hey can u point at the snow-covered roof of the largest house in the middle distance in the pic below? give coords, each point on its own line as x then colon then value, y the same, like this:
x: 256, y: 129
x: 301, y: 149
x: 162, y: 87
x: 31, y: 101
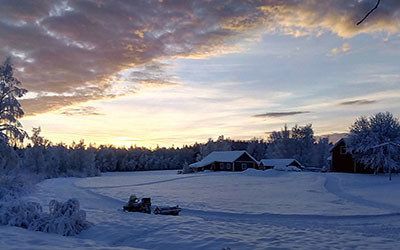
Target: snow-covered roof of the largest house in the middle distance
x: 220, y: 156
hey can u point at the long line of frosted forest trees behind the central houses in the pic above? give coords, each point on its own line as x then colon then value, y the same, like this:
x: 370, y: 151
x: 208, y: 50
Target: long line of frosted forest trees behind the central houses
x: 49, y: 160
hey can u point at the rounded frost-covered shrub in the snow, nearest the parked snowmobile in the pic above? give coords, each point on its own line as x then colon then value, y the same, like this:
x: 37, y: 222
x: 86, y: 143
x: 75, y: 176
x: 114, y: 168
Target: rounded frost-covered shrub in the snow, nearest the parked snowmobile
x: 64, y: 218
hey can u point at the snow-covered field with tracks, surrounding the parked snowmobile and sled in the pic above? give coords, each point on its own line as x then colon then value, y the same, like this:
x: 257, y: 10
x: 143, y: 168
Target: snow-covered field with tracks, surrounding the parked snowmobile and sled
x: 249, y: 210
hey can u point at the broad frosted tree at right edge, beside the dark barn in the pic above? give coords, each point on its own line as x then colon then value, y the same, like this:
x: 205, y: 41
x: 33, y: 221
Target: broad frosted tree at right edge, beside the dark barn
x: 375, y: 142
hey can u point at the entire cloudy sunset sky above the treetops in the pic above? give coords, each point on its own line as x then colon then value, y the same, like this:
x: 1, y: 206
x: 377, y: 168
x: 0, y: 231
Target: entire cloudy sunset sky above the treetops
x: 166, y: 73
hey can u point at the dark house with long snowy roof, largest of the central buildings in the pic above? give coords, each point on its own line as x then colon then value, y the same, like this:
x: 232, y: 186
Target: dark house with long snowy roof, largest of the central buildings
x: 225, y: 161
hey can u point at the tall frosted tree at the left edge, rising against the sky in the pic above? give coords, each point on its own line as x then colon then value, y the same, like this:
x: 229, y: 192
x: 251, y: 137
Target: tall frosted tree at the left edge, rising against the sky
x: 10, y: 108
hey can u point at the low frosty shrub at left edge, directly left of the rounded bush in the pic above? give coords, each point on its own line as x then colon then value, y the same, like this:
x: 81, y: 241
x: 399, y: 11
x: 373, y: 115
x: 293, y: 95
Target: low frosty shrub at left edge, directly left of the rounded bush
x: 19, y: 213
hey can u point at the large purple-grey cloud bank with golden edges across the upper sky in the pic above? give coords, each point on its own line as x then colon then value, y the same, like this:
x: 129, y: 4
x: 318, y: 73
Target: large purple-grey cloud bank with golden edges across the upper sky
x: 81, y: 47
